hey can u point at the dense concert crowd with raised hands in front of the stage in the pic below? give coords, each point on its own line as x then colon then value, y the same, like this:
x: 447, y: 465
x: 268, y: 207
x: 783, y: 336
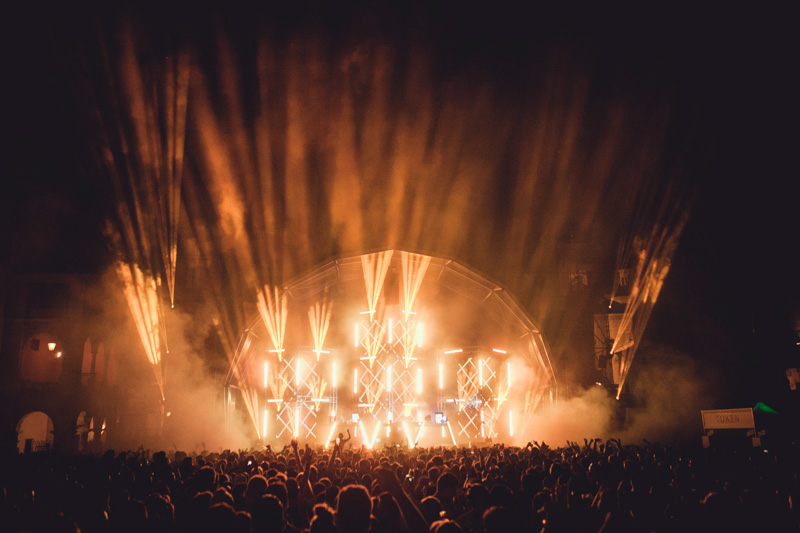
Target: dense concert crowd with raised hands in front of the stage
x: 597, y: 486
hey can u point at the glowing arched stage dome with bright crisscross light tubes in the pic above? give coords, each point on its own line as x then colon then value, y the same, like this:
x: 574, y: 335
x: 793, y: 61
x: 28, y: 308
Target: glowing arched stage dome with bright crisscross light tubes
x: 397, y: 347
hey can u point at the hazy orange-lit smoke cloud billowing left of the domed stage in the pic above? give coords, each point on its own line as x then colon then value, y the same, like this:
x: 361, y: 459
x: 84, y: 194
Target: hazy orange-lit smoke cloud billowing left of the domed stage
x: 193, y: 378
